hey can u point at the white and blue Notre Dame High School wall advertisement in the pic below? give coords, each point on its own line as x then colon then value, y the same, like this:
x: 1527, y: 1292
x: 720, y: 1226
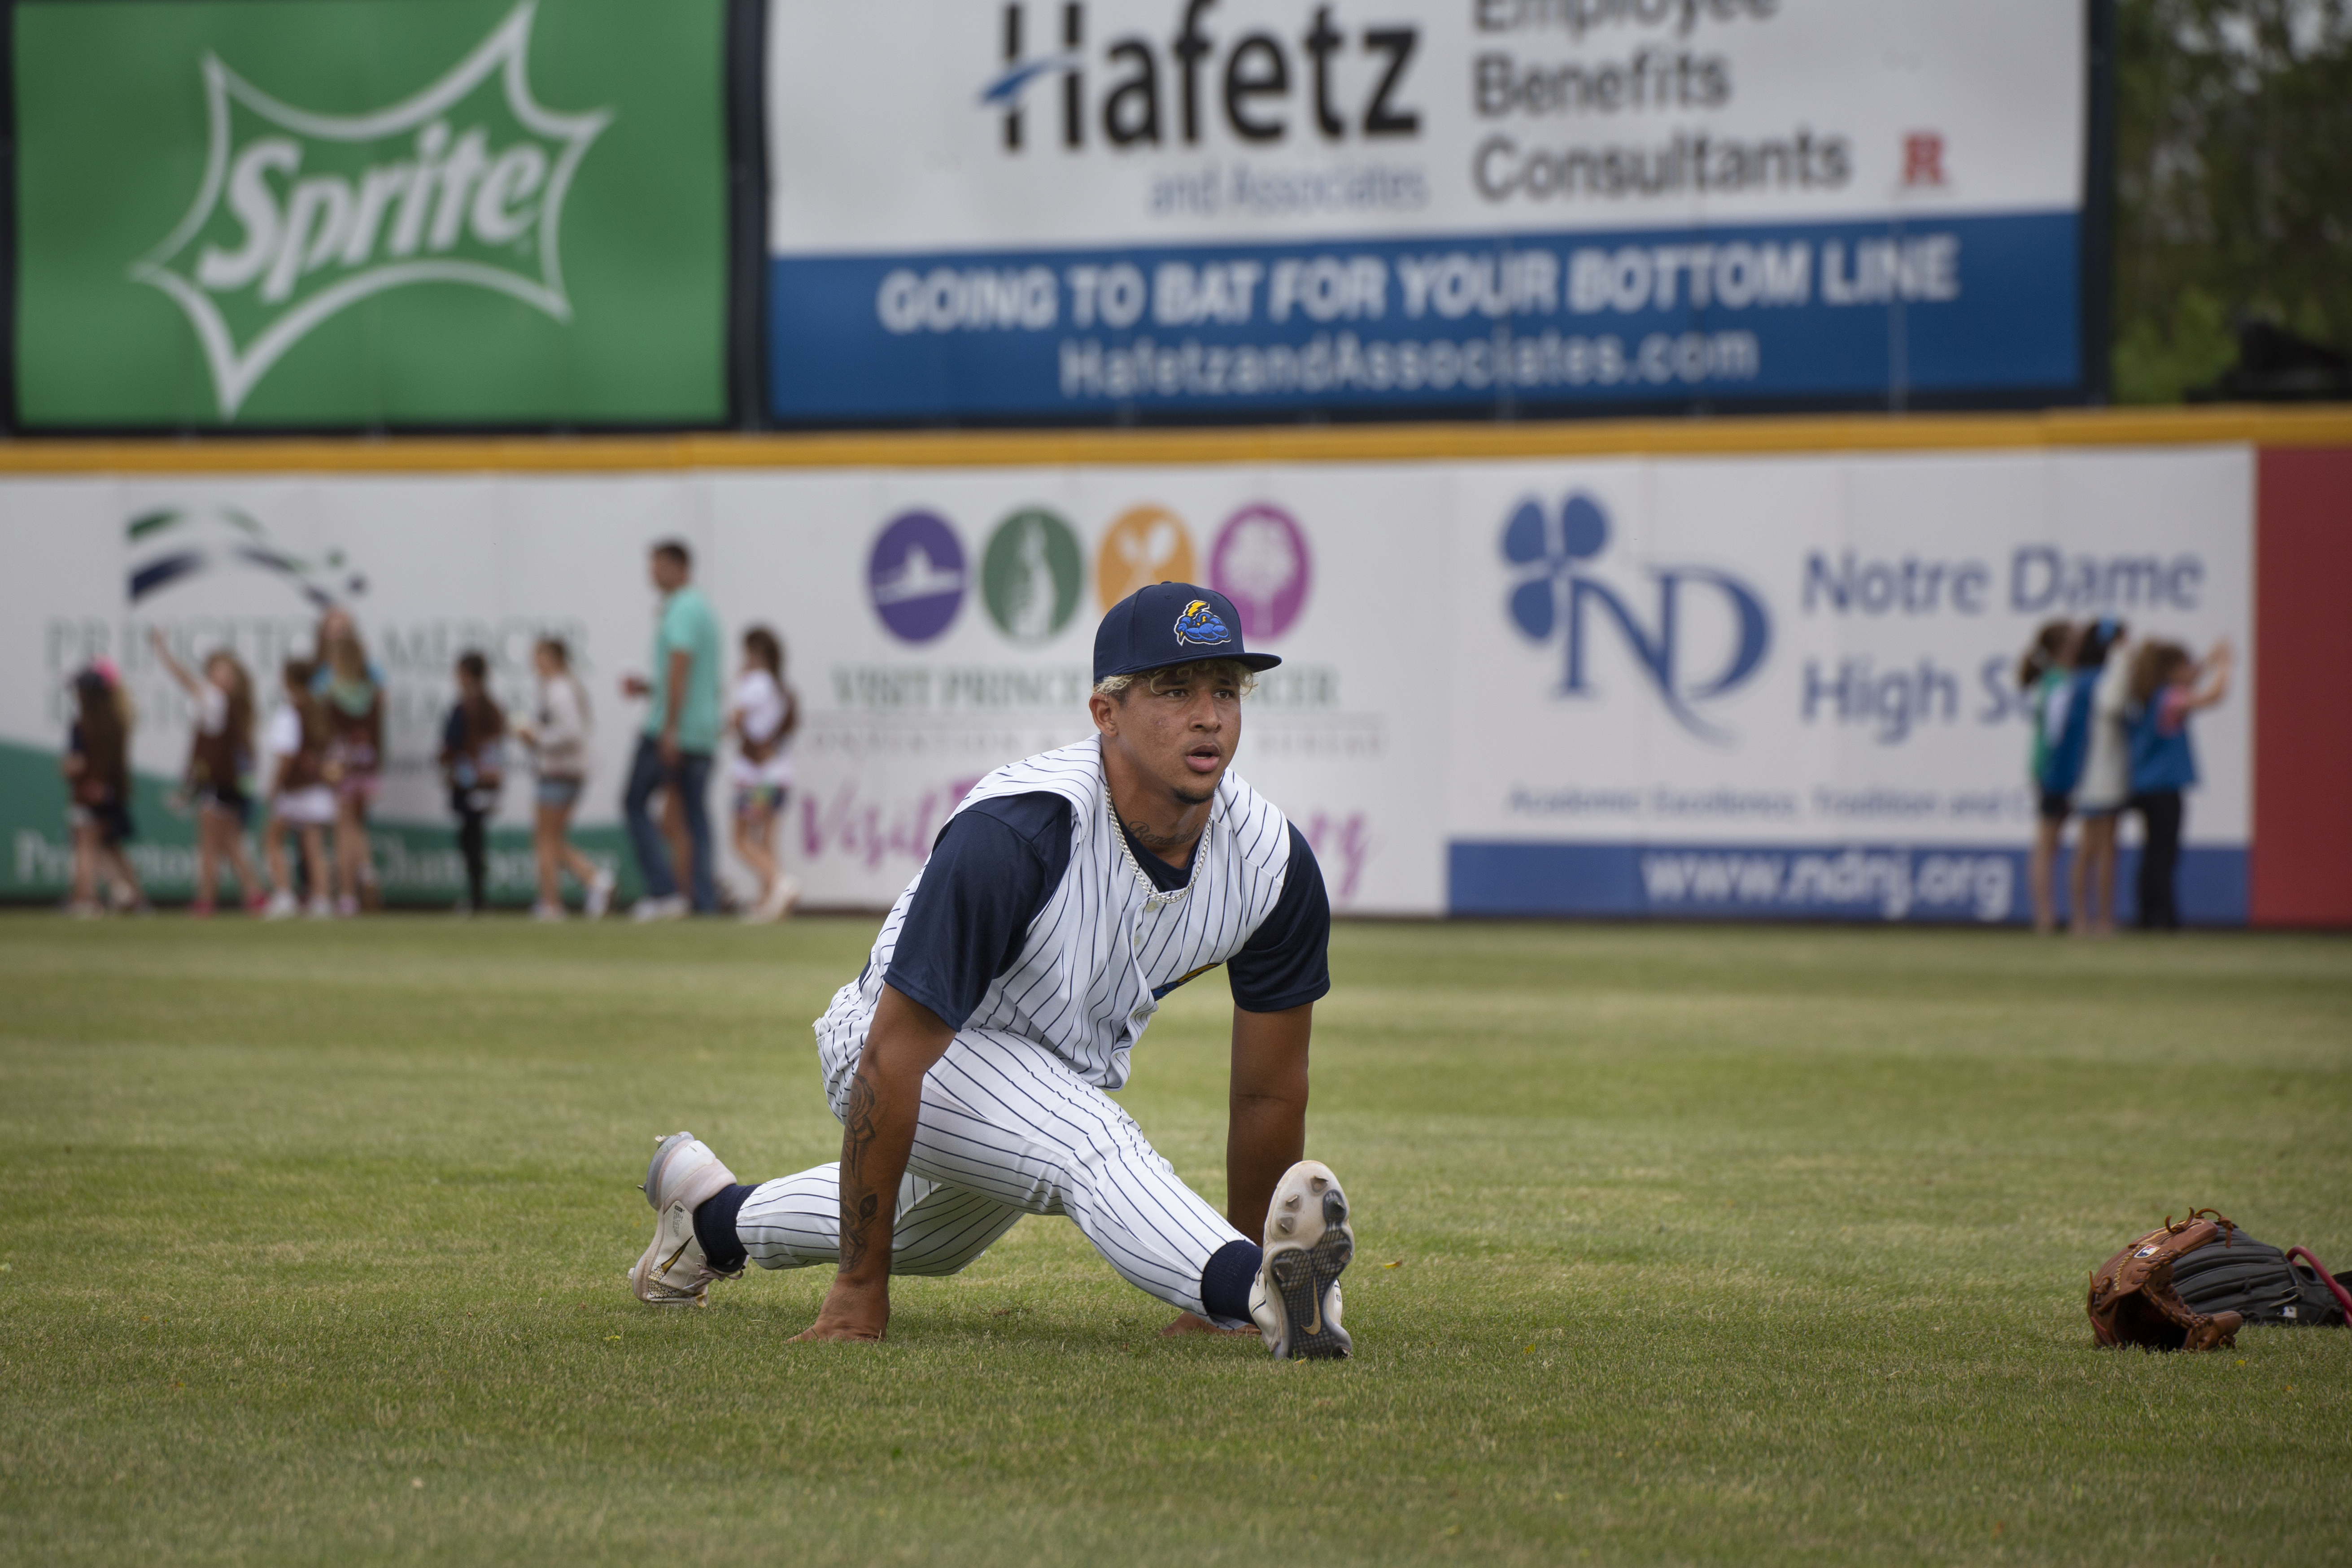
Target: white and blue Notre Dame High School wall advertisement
x: 1789, y: 685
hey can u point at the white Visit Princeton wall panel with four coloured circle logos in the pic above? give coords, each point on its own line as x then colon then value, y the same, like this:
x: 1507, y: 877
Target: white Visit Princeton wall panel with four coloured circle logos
x: 944, y: 624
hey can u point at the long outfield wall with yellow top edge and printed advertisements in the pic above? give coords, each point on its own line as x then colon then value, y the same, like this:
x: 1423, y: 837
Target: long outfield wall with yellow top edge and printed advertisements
x: 1685, y: 671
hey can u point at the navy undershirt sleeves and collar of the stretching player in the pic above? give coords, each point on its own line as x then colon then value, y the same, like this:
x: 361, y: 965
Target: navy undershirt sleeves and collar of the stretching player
x: 994, y: 871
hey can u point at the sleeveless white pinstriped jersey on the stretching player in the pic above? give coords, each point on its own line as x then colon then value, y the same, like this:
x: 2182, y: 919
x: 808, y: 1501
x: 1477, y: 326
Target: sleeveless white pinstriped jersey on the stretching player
x: 1107, y: 944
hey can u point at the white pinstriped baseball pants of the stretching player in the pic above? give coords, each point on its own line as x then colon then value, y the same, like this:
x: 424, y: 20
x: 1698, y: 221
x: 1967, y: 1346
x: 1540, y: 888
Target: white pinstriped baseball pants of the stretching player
x: 1008, y: 1130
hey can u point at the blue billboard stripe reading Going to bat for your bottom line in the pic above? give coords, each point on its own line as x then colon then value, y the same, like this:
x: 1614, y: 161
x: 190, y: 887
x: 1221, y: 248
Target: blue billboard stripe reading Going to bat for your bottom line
x: 1758, y: 311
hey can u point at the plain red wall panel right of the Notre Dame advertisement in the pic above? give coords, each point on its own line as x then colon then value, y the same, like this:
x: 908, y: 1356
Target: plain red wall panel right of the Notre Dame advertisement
x: 2304, y: 702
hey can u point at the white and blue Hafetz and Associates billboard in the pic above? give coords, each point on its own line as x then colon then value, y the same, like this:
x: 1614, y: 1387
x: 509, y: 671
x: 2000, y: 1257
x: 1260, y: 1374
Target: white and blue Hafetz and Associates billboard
x: 1243, y: 208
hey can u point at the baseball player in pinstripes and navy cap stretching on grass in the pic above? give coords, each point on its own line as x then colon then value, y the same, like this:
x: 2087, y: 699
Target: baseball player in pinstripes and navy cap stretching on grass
x: 970, y: 1064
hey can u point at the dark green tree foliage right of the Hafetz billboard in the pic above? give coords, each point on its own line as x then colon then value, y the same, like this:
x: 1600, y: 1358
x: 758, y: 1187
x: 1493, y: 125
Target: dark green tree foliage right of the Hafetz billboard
x: 2233, y: 185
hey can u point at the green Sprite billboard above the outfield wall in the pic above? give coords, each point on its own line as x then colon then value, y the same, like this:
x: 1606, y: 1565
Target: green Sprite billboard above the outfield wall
x: 370, y: 213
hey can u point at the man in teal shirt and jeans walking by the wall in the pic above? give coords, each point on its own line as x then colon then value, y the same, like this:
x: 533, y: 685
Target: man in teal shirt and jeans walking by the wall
x: 681, y: 737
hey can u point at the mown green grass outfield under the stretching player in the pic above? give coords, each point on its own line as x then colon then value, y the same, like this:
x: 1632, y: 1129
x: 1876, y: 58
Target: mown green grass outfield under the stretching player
x: 1678, y: 1247
